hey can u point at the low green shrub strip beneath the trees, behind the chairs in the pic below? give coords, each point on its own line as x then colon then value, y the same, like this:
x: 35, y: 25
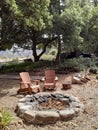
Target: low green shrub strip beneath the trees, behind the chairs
x: 75, y: 64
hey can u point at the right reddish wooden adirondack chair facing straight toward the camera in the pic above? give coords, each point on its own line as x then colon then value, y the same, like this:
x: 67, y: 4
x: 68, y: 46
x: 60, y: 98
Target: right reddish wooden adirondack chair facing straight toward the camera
x: 49, y: 80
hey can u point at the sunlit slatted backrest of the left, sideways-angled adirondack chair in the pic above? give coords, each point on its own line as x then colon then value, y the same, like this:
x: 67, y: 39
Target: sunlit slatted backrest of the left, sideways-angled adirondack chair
x: 25, y: 78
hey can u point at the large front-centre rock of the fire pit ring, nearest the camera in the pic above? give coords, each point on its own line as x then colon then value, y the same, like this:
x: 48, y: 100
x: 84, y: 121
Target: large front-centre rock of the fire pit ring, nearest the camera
x: 46, y: 117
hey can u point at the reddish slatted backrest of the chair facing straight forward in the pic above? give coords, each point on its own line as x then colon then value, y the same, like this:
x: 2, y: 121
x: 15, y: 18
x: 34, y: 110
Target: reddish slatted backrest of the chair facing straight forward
x: 50, y: 76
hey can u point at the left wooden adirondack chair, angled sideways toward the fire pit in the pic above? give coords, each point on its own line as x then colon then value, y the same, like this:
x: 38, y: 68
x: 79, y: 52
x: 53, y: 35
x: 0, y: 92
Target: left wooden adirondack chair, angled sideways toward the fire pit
x: 26, y: 84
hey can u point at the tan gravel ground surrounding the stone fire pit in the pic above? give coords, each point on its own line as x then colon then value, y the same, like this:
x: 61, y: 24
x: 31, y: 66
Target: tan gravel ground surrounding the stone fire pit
x: 87, y: 93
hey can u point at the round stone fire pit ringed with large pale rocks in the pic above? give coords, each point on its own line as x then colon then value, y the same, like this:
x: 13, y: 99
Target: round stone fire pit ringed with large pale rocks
x: 48, y: 108
